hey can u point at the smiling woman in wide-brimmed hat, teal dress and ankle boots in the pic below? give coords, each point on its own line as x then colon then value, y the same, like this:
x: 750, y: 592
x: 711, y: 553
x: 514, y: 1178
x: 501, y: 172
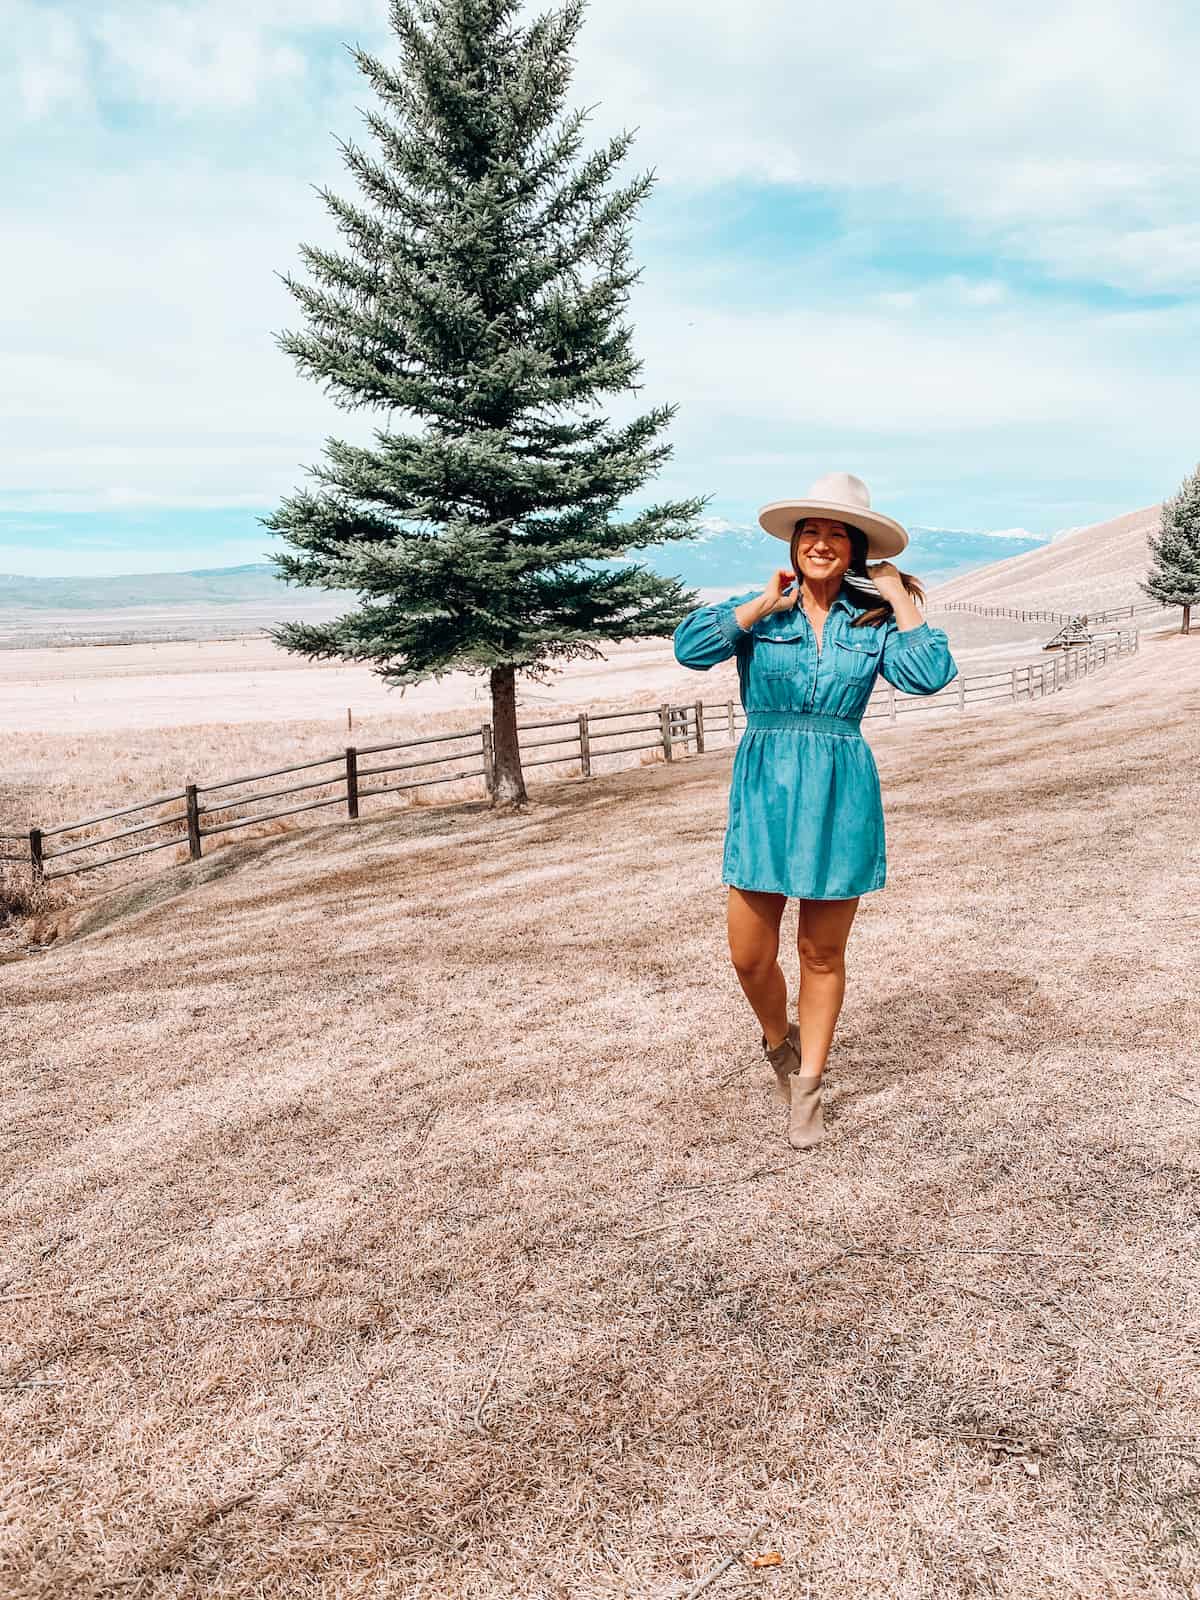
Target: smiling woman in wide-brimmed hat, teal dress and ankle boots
x: 806, y: 810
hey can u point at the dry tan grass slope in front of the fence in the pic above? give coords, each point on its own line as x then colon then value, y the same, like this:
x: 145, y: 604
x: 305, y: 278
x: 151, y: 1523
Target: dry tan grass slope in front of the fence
x: 402, y: 1212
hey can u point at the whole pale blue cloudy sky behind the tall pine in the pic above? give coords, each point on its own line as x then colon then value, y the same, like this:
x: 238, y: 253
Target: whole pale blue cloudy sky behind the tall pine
x: 953, y: 254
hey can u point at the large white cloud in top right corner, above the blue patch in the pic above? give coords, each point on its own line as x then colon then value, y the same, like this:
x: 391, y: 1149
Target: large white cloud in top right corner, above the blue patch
x: 1057, y: 135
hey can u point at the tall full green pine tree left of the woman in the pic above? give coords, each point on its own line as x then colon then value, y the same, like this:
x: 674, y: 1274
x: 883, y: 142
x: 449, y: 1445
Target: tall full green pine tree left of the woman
x: 479, y: 294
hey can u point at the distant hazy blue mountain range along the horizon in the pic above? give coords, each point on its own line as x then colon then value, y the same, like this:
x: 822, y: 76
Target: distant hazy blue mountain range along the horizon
x: 726, y: 556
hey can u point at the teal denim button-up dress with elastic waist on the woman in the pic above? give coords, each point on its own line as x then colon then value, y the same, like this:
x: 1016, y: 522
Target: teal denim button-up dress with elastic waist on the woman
x: 806, y: 809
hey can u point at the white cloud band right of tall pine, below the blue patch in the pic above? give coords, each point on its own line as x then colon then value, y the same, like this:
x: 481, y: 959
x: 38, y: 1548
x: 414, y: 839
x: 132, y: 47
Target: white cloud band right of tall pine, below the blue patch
x: 841, y: 369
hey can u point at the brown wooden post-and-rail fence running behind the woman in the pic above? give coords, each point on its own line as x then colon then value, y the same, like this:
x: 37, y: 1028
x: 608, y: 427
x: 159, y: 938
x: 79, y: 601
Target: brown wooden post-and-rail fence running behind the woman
x: 348, y: 778
